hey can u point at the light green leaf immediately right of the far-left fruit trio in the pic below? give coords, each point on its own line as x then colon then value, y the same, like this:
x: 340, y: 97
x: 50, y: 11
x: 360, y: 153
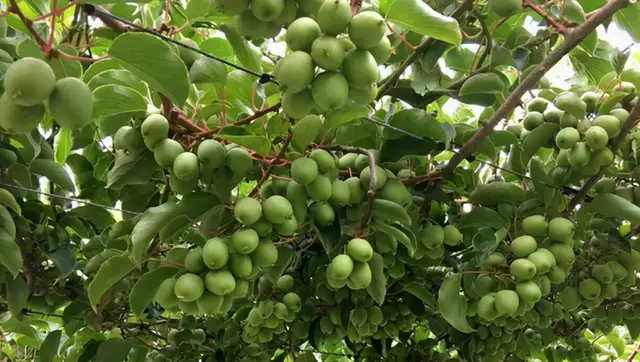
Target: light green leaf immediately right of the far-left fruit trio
x: 109, y: 100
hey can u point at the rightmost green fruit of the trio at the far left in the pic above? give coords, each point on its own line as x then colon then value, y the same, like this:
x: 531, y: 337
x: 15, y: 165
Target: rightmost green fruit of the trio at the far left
x: 71, y: 103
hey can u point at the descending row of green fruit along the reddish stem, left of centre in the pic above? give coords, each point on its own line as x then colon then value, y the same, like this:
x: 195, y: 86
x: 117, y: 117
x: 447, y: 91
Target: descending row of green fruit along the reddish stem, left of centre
x: 187, y: 168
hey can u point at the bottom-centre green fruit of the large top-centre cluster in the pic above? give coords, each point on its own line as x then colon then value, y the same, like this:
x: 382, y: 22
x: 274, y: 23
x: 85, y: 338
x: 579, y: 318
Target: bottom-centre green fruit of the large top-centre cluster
x: 330, y: 91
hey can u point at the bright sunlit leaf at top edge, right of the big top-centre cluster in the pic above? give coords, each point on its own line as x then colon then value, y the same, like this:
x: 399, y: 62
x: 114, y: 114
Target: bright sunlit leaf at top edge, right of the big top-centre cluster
x: 418, y: 17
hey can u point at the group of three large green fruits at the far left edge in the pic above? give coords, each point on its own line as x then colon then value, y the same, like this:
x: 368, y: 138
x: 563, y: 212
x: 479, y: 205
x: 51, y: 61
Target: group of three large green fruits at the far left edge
x: 30, y: 87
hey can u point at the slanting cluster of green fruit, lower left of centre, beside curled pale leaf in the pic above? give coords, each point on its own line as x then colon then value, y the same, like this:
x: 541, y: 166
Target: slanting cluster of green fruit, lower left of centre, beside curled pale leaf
x: 217, y: 273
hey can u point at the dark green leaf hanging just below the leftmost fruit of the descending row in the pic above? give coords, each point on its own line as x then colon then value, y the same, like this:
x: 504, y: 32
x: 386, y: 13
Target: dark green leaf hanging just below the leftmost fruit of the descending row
x: 131, y: 169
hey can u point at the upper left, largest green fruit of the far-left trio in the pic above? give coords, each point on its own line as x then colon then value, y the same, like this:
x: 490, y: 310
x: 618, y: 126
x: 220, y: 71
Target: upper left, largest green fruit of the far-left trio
x: 29, y: 81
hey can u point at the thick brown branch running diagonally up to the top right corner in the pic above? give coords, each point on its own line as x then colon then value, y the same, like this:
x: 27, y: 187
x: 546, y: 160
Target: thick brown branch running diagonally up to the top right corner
x: 573, y: 38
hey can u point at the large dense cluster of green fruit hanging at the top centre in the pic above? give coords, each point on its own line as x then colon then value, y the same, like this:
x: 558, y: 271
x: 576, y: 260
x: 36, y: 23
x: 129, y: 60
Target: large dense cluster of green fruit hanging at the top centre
x: 350, y: 65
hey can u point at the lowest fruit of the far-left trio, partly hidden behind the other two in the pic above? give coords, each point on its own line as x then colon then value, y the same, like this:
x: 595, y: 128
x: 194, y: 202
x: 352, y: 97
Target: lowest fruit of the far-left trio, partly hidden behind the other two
x: 15, y: 119
